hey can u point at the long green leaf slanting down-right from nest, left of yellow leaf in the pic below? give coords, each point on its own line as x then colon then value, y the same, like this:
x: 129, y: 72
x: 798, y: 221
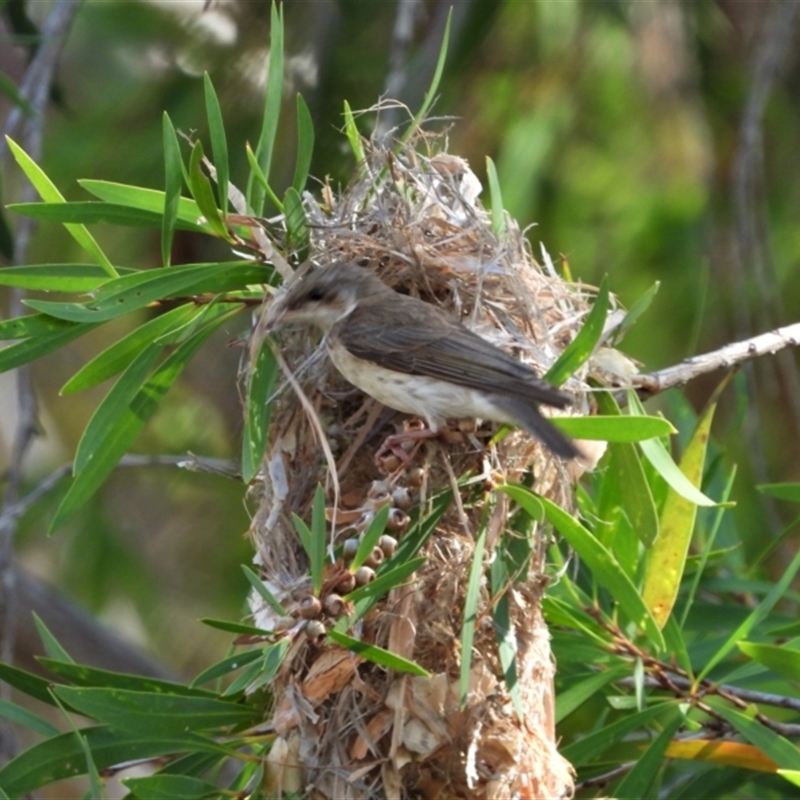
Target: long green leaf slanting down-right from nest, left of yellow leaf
x: 605, y: 569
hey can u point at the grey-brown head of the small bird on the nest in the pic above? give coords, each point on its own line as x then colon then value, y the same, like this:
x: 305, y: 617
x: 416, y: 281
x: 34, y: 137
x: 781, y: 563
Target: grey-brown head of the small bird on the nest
x: 323, y: 297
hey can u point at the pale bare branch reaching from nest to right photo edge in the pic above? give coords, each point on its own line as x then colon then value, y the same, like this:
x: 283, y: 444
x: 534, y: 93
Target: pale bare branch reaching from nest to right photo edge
x: 728, y: 356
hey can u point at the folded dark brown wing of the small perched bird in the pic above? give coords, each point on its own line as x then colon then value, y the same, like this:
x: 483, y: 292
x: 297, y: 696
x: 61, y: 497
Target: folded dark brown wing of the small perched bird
x: 416, y: 338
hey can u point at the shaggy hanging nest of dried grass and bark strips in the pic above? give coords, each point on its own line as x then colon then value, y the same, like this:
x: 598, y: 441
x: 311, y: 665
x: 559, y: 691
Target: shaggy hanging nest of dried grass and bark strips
x: 346, y: 727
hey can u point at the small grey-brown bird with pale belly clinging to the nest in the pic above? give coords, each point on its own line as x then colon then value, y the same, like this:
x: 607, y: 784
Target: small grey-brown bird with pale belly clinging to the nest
x: 415, y: 357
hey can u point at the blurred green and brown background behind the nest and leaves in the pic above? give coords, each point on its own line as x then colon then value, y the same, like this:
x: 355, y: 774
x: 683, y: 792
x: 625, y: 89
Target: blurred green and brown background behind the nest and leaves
x: 616, y: 128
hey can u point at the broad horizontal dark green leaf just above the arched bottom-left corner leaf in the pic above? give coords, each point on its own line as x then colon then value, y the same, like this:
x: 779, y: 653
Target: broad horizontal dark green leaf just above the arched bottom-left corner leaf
x: 162, y: 715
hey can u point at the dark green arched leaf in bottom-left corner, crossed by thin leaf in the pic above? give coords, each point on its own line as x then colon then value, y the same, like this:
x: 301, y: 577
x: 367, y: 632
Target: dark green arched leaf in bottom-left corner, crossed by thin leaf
x: 62, y: 756
